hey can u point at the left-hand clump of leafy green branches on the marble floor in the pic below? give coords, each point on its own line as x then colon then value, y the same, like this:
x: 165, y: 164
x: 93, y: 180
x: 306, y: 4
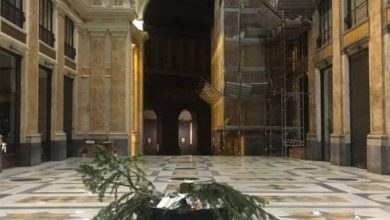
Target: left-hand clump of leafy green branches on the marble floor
x: 107, y: 173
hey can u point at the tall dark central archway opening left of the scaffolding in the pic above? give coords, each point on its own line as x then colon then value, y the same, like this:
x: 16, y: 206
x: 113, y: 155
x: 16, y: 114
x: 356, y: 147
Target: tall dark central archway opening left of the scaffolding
x: 177, y: 56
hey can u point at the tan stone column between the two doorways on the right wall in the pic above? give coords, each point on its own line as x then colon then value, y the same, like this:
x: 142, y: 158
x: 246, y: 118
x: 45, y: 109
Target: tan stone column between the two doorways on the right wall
x: 339, y: 151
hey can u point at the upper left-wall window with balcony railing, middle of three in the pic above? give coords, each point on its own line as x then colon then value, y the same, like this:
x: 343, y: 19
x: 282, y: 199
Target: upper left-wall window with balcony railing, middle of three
x: 46, y: 22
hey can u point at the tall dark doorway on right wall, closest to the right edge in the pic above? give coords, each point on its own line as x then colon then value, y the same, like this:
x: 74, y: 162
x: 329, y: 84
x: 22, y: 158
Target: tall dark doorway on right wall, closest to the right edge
x: 360, y: 107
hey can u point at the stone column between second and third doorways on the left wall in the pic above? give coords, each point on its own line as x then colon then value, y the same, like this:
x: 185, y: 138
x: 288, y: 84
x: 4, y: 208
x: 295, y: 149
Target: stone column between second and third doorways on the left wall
x: 58, y: 146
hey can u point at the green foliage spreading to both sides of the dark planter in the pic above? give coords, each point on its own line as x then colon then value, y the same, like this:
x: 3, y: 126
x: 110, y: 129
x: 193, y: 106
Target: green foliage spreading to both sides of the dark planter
x: 107, y: 173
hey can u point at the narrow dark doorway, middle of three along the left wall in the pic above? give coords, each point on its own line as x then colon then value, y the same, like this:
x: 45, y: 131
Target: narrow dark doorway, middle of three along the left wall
x: 44, y: 110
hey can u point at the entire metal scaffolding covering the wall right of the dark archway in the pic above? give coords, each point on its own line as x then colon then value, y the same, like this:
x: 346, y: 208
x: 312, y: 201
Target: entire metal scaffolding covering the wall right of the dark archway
x: 283, y: 87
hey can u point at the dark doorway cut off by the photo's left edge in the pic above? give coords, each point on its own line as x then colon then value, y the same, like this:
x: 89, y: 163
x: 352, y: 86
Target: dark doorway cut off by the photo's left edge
x: 10, y: 64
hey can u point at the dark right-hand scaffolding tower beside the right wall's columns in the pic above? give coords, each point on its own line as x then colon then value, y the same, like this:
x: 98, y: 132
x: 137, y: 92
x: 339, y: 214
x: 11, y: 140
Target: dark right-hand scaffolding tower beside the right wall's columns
x: 286, y: 73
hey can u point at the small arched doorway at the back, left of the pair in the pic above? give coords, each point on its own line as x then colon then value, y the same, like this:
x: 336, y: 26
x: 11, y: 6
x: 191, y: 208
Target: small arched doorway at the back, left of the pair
x: 151, y: 132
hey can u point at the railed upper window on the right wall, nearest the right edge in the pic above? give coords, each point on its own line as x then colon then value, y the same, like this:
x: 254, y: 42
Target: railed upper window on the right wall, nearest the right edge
x: 355, y: 12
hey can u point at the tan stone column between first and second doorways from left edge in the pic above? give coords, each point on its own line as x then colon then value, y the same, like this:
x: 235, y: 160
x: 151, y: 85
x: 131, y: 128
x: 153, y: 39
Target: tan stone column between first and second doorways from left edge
x: 30, y: 148
